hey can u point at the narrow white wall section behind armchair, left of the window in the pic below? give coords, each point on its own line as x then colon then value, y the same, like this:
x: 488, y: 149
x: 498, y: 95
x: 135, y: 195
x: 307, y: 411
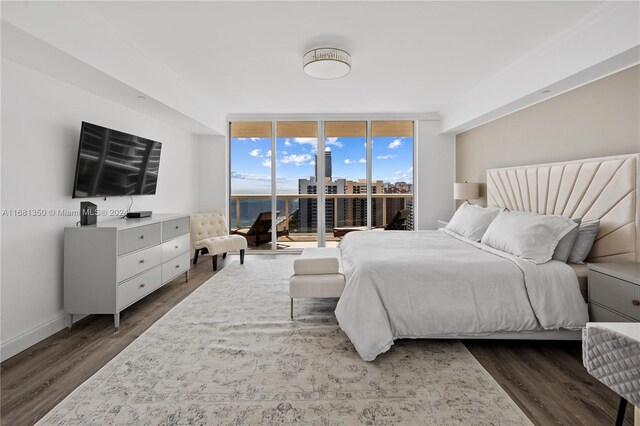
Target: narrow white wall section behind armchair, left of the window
x: 212, y: 174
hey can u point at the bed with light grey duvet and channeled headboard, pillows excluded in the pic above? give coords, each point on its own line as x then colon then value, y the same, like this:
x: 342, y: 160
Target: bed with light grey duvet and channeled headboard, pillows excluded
x: 436, y: 284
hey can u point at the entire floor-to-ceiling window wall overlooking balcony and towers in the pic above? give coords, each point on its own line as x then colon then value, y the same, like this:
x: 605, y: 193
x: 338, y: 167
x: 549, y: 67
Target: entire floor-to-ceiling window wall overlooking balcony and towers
x: 296, y: 184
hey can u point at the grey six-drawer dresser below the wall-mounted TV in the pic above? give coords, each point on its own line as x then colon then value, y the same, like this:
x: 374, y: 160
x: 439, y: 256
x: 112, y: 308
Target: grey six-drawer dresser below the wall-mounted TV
x: 111, y: 265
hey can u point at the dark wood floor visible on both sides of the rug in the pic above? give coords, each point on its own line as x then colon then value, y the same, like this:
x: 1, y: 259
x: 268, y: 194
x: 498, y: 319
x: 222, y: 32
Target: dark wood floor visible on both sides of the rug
x: 545, y: 379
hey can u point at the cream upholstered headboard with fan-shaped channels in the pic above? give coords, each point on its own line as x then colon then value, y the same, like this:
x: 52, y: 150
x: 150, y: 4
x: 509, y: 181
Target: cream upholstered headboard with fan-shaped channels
x: 605, y: 188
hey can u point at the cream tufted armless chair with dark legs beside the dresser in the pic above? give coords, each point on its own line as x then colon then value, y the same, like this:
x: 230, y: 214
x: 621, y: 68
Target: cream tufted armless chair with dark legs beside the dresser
x: 210, y: 237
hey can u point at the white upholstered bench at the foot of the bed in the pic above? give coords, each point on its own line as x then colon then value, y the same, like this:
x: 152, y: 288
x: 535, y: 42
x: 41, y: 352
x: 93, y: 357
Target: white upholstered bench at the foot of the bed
x: 317, y: 273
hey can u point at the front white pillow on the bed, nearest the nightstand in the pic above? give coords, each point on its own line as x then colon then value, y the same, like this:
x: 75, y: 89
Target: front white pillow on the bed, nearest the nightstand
x: 527, y: 235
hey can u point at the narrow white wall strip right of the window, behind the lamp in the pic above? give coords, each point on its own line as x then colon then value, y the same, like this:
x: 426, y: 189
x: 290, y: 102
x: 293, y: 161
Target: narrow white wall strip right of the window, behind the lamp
x: 436, y: 174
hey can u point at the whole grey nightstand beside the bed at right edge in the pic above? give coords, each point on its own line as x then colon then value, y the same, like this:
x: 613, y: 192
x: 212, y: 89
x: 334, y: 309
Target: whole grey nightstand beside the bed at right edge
x: 614, y: 292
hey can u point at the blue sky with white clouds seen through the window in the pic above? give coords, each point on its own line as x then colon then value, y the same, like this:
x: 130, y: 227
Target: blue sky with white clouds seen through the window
x: 251, y: 161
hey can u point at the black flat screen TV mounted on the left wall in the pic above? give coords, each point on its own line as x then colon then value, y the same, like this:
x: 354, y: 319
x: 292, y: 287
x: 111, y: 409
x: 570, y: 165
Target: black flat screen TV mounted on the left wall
x: 114, y: 163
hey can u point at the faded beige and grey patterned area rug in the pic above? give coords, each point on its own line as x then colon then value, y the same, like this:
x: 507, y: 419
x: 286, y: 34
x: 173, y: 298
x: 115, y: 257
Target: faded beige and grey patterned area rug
x: 228, y: 354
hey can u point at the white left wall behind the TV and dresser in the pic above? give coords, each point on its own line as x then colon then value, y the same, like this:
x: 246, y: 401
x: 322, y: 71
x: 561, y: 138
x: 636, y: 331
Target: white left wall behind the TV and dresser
x: 41, y: 119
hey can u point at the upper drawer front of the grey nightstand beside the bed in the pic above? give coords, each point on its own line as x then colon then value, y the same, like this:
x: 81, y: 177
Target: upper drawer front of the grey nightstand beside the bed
x: 616, y: 294
